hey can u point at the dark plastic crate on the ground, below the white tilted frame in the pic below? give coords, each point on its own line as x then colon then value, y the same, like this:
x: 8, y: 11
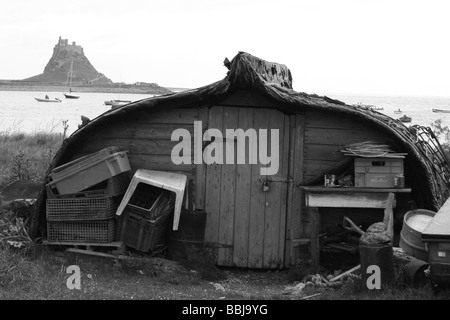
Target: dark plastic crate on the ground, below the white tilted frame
x: 143, y: 234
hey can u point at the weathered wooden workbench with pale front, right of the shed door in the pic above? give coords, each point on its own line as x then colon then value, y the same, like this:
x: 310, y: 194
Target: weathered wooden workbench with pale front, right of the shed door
x: 346, y: 197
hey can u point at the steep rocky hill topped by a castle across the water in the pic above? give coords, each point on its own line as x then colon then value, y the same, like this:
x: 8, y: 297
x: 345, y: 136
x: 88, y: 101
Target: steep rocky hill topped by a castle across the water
x: 57, y: 69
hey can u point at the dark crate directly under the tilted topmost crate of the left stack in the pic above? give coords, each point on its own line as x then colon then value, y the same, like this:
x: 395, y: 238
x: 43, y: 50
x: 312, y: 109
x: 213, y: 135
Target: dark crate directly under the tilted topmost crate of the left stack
x: 112, y: 187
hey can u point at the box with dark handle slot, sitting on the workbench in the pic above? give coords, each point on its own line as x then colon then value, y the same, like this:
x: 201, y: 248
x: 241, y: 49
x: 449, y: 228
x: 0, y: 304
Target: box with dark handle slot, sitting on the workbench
x: 379, y: 172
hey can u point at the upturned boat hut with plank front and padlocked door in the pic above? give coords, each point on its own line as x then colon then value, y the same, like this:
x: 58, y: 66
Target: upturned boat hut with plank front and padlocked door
x: 257, y: 220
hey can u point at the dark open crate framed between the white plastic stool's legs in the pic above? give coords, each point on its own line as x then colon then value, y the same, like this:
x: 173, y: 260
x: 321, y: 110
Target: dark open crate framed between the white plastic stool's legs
x: 150, y: 202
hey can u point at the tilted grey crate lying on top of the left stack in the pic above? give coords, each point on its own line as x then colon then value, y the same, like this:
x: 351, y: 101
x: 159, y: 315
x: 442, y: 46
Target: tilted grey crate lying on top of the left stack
x: 93, y: 173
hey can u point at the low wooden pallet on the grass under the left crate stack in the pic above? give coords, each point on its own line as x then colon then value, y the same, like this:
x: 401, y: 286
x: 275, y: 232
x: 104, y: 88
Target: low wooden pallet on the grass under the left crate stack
x: 89, y: 248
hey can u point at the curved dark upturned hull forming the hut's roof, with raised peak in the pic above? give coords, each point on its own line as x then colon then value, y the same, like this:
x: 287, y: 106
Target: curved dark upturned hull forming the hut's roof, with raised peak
x: 275, y: 82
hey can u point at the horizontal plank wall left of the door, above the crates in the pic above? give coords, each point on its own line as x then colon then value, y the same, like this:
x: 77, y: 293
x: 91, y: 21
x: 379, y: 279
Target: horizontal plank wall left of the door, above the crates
x: 148, y: 140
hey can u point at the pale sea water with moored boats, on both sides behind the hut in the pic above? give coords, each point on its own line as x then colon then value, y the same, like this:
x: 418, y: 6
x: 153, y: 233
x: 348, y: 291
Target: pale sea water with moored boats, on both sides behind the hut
x: 20, y: 112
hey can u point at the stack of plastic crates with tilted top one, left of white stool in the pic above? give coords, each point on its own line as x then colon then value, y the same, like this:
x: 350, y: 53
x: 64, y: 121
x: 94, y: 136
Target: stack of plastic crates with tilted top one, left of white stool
x: 83, y: 197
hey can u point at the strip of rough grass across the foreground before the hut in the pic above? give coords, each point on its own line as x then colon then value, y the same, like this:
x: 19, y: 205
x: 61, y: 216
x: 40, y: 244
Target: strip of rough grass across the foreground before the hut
x: 41, y: 274
